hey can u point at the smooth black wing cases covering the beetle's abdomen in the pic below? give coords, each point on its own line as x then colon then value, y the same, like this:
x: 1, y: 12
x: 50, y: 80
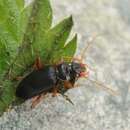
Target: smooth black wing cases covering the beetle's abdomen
x: 37, y: 82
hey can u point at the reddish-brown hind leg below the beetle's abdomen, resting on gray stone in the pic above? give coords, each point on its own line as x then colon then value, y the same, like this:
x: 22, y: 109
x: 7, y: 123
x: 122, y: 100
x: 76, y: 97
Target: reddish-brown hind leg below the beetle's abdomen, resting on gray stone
x: 36, y: 100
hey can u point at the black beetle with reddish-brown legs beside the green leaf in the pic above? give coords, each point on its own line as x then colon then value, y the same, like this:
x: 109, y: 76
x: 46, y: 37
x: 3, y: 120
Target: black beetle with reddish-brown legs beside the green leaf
x: 50, y: 78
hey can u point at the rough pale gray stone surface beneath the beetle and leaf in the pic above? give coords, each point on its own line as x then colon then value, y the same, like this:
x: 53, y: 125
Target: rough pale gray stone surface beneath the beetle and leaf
x: 109, y: 55
